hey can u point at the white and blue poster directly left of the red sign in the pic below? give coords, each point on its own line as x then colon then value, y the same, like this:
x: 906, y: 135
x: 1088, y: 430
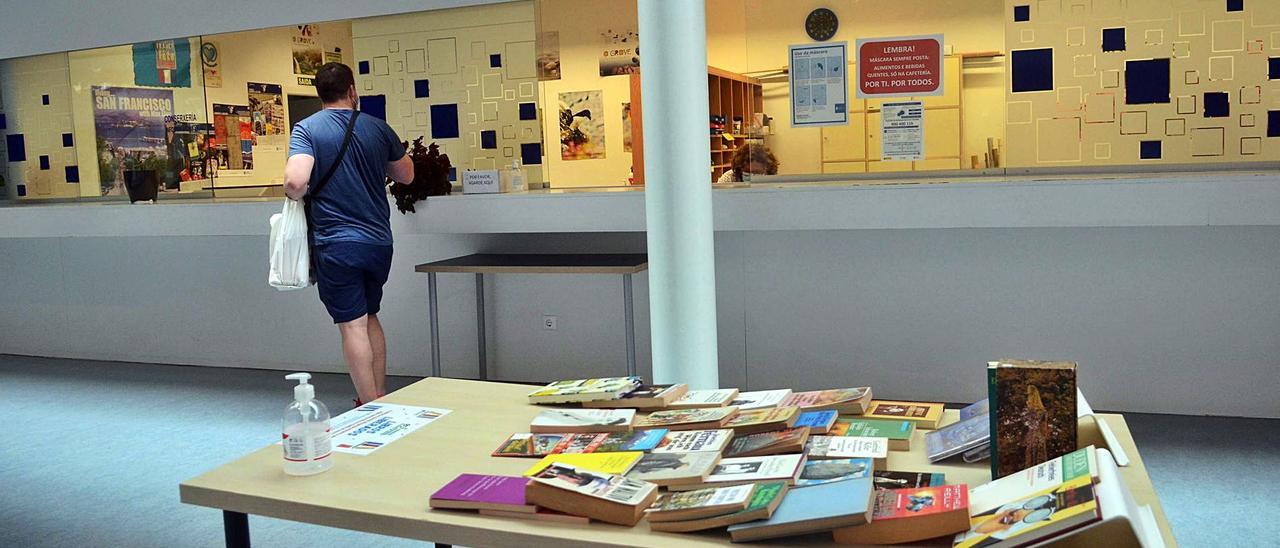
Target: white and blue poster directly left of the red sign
x: 820, y: 85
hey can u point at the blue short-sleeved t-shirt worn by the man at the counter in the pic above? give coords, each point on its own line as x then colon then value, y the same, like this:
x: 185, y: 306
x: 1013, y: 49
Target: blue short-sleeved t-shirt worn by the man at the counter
x: 353, y: 207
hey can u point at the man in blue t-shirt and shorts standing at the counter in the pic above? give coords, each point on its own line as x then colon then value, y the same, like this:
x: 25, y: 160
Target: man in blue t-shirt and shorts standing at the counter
x: 350, y: 218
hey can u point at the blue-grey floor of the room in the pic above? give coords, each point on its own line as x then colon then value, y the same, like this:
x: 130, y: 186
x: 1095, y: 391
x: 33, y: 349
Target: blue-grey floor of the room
x: 95, y: 453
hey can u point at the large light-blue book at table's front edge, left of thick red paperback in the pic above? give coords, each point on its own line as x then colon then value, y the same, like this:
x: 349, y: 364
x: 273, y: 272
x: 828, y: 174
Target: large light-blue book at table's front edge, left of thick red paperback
x: 813, y: 510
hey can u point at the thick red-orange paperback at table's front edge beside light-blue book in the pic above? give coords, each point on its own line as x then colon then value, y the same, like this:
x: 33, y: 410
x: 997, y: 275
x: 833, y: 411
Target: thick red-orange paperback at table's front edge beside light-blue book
x: 912, y: 515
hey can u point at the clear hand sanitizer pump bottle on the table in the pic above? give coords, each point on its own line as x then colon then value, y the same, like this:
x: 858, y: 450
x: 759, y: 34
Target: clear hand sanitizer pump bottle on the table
x: 307, y: 431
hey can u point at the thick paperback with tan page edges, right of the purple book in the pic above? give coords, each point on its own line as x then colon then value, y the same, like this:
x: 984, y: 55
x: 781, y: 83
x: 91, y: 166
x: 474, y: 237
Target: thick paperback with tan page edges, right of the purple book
x: 604, y: 497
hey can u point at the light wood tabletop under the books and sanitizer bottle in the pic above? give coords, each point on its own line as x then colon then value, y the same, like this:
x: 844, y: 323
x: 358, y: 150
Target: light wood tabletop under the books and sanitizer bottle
x: 387, y: 492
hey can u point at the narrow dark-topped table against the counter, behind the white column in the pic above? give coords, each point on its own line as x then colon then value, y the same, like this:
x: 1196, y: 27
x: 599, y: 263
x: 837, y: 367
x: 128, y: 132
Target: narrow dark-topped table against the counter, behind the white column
x: 482, y: 264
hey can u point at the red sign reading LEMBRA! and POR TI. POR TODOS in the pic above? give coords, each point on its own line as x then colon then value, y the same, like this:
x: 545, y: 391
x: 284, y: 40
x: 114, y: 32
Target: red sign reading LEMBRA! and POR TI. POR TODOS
x: 903, y: 67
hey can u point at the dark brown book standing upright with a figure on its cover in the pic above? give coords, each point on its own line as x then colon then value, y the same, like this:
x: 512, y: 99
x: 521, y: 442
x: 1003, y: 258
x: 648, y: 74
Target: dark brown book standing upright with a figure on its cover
x: 1032, y: 413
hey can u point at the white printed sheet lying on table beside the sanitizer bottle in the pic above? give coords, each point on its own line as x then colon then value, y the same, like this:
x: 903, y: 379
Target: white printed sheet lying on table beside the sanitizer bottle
x: 373, y: 426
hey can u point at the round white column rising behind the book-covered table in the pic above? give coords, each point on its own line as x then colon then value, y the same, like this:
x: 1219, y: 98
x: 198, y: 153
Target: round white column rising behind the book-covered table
x: 679, y: 193
